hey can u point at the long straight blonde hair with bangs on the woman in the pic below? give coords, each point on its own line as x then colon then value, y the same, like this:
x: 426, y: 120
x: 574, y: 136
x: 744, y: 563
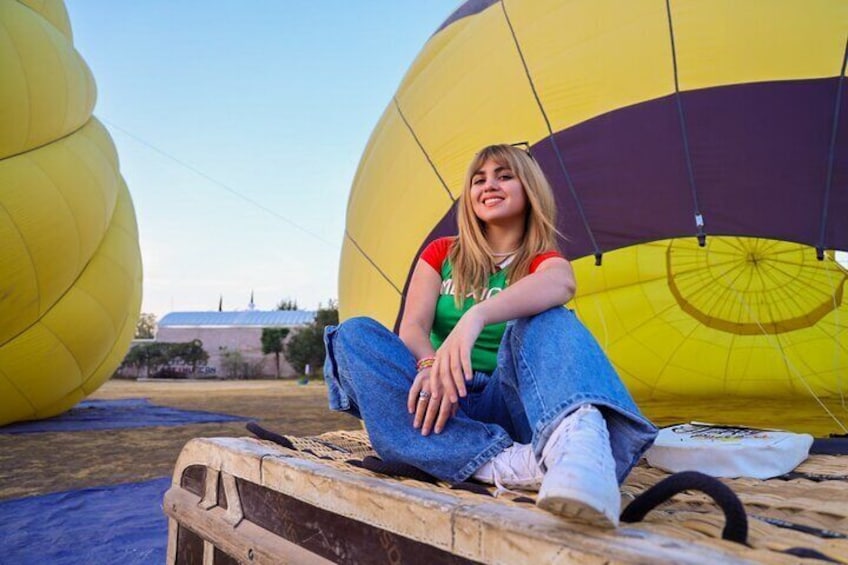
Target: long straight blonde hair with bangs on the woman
x: 471, y: 256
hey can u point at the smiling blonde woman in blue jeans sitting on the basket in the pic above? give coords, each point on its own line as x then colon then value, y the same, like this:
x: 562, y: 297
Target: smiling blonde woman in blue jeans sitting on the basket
x: 490, y: 377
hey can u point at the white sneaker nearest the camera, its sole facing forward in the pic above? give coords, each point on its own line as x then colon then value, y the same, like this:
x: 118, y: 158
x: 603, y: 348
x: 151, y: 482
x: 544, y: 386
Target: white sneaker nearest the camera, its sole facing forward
x: 580, y: 481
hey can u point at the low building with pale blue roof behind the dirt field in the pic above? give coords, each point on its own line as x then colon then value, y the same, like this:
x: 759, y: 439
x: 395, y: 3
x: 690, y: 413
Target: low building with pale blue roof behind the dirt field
x: 232, y: 339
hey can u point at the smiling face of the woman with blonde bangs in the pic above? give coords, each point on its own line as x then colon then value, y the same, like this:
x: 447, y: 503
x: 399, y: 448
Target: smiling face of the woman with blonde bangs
x: 497, y: 196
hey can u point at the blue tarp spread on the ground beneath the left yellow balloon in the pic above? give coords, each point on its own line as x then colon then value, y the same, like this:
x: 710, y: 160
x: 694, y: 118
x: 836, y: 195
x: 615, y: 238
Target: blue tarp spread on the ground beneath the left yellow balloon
x: 115, y: 414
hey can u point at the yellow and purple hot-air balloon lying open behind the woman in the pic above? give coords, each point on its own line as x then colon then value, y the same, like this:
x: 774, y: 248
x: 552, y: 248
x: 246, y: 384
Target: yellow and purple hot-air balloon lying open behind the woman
x: 699, y: 154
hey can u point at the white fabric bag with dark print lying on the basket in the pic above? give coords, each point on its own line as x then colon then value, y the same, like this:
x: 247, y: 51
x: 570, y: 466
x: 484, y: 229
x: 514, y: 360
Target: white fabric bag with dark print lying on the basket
x: 728, y: 451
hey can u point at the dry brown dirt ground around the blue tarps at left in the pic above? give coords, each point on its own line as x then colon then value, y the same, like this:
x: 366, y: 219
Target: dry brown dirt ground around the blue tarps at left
x: 41, y: 463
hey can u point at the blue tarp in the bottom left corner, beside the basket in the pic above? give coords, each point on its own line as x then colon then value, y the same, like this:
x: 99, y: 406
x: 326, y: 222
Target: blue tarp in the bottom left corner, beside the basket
x: 118, y: 524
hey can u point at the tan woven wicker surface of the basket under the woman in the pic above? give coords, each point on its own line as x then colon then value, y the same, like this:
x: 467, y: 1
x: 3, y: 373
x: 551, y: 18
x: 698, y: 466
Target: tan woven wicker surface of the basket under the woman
x: 807, y: 511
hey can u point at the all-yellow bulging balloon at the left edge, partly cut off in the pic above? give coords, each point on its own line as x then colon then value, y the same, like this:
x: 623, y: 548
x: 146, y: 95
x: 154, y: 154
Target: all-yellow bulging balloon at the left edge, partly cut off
x: 70, y: 266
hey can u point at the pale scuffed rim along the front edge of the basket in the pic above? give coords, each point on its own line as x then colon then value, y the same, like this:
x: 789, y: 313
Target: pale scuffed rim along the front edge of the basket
x: 475, y: 528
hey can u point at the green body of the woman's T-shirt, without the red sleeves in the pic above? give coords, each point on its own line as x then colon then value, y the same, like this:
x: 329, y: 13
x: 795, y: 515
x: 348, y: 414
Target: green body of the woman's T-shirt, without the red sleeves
x: 484, y: 355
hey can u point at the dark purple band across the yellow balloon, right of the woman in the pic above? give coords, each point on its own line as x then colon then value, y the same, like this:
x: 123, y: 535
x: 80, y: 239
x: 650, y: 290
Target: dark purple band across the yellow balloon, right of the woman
x: 759, y: 147
